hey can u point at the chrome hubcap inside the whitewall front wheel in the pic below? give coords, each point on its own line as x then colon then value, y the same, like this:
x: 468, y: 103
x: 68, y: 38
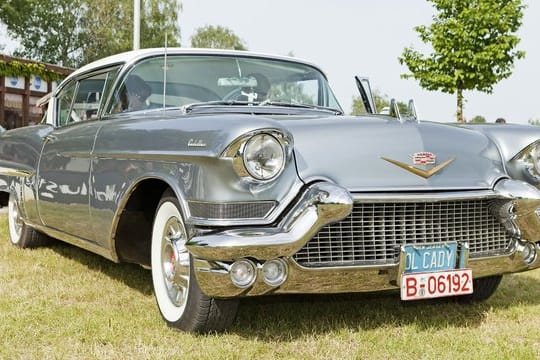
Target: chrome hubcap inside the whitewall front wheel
x: 175, y: 262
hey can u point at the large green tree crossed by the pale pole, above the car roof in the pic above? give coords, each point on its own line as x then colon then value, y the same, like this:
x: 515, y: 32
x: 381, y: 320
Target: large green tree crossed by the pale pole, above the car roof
x: 74, y: 32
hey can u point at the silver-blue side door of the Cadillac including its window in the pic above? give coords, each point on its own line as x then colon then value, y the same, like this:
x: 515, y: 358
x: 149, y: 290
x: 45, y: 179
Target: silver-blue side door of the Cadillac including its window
x: 63, y: 189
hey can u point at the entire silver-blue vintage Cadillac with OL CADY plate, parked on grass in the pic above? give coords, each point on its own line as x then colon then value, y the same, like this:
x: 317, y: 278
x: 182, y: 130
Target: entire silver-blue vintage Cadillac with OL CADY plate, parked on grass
x: 234, y: 174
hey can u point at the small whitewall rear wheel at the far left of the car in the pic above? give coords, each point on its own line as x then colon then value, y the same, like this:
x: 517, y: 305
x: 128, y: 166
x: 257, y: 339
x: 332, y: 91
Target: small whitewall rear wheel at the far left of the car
x: 20, y: 234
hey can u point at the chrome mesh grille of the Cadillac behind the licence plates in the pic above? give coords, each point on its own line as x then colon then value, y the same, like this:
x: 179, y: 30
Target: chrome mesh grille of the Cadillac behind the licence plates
x: 374, y: 232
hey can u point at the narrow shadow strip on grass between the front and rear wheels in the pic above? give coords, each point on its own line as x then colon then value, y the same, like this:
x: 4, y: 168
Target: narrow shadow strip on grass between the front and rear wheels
x: 134, y: 276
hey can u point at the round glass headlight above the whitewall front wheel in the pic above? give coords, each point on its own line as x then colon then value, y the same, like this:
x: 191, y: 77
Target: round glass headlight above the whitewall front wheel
x: 264, y: 157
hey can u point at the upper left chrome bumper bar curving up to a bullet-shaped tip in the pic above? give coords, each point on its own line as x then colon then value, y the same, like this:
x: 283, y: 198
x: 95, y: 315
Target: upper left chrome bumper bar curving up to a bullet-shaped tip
x: 319, y: 205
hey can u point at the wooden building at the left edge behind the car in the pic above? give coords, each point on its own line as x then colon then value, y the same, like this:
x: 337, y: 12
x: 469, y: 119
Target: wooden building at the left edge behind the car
x: 22, y: 83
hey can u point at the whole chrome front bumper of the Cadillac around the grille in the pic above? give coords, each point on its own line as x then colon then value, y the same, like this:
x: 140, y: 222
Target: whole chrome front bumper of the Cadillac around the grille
x: 324, y: 203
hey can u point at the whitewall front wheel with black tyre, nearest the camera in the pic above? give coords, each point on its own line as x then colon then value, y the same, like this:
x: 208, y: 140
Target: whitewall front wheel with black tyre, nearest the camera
x: 179, y: 298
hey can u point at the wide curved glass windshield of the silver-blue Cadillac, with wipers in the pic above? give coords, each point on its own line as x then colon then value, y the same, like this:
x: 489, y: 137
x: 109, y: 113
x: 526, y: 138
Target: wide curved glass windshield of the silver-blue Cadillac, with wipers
x: 181, y: 80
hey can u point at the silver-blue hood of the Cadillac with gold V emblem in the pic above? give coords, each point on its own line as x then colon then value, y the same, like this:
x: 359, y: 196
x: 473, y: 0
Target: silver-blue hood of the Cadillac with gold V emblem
x: 351, y: 152
